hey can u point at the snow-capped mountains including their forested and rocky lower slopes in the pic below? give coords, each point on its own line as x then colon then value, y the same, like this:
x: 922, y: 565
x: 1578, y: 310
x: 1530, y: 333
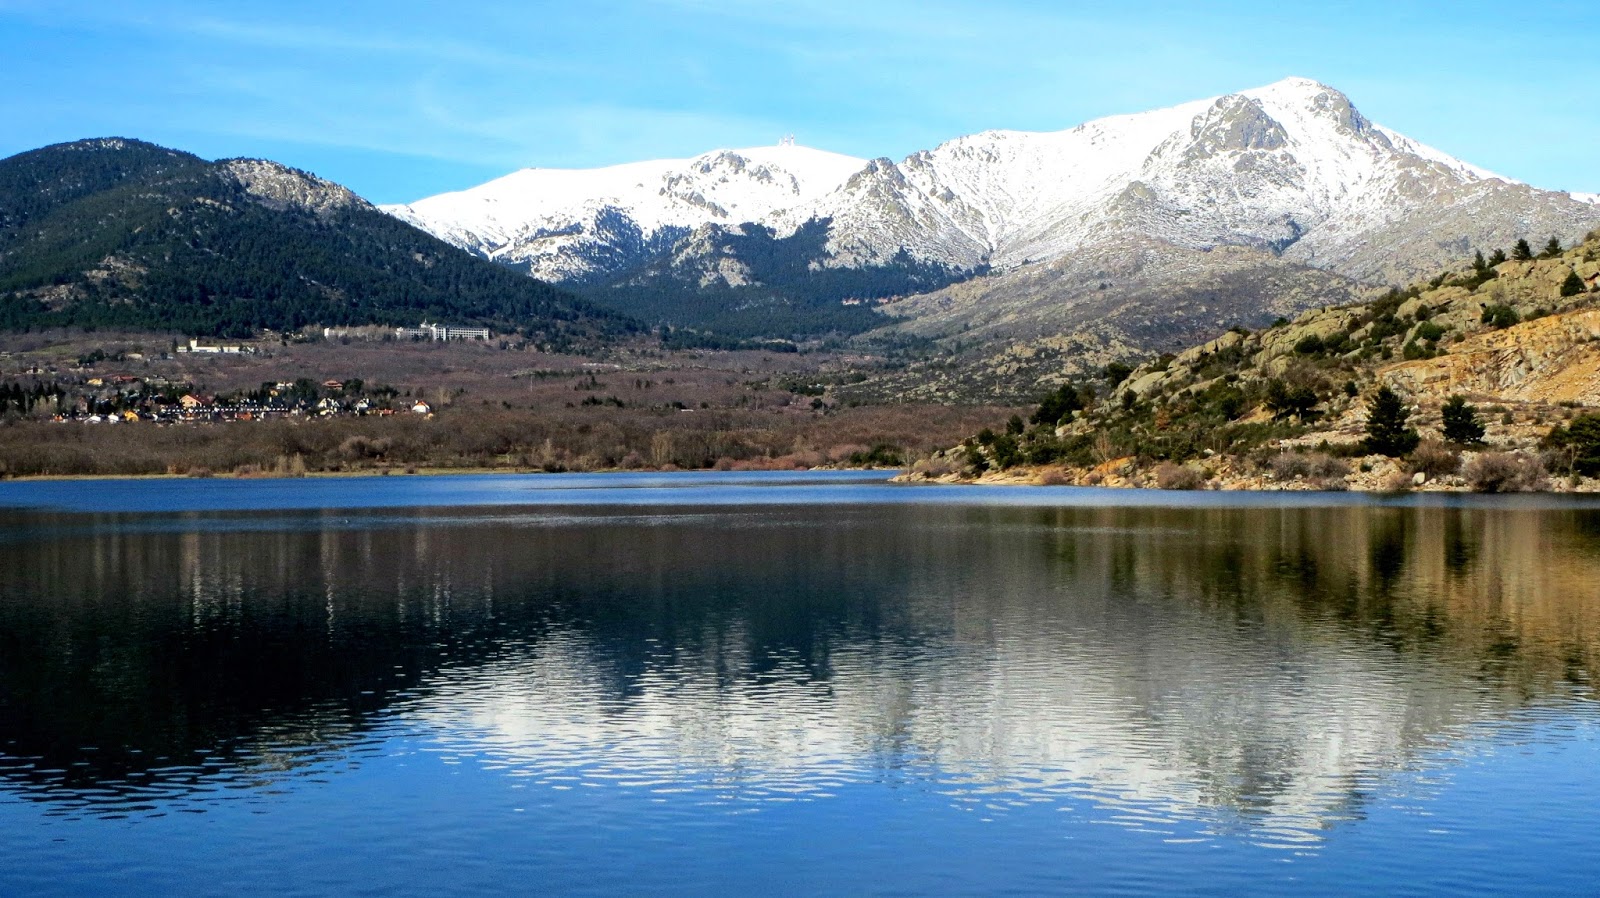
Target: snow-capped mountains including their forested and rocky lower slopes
x: 1241, y: 207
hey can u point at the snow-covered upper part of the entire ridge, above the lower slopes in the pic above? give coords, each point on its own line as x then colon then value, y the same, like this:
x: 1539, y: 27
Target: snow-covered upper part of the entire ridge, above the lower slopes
x: 1292, y: 169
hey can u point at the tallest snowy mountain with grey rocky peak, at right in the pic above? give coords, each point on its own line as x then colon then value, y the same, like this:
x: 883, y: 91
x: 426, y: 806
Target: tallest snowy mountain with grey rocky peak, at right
x: 1290, y: 167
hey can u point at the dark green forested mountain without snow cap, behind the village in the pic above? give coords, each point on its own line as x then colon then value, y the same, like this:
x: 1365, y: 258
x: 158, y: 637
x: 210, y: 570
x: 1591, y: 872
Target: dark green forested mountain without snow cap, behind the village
x: 119, y: 233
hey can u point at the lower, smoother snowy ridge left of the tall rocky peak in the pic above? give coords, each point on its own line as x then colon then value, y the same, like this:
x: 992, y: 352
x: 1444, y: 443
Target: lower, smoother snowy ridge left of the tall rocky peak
x: 572, y: 225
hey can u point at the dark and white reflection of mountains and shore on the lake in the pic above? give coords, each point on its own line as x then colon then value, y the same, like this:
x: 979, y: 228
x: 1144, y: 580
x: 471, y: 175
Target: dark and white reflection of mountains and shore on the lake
x: 1260, y: 670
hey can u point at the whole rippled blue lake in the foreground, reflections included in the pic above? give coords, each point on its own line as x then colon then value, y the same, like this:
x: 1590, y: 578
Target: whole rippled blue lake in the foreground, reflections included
x: 782, y: 684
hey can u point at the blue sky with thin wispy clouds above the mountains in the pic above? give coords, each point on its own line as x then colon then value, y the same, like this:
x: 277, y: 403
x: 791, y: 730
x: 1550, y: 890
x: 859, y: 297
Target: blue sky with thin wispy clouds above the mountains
x: 402, y: 100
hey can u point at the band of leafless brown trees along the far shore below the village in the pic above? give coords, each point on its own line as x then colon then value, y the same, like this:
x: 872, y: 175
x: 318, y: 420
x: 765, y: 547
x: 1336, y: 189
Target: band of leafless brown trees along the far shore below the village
x: 465, y: 438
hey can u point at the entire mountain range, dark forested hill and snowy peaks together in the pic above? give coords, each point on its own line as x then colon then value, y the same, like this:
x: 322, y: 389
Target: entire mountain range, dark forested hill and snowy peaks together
x: 1014, y: 257
